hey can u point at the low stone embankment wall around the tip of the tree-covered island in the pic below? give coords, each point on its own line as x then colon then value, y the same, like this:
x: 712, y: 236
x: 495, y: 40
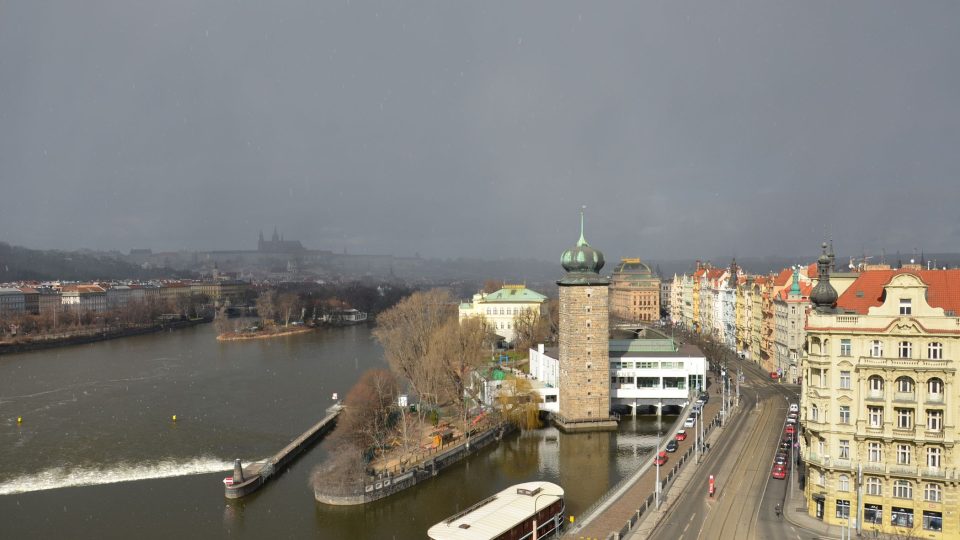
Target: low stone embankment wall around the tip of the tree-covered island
x: 390, y: 484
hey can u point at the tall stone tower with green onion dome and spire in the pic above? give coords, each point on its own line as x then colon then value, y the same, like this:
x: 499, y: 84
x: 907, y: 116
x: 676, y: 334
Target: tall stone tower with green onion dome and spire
x: 584, y: 401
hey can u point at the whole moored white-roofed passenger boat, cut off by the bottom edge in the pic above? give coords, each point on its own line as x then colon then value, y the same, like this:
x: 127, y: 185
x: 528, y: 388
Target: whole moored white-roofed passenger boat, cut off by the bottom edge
x: 511, y: 514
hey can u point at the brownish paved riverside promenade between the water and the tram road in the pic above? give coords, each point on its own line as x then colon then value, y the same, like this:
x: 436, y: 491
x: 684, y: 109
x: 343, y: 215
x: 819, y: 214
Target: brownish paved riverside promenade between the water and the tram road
x: 620, y: 510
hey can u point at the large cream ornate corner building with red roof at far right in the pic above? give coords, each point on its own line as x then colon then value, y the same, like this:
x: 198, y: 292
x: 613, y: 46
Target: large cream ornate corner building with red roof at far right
x: 880, y: 402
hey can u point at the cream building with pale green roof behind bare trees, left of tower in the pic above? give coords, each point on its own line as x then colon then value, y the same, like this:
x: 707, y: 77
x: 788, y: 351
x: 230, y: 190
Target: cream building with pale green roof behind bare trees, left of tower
x: 500, y: 308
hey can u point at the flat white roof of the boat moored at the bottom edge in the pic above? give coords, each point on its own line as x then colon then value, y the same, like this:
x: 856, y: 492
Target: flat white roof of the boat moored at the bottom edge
x: 494, y: 515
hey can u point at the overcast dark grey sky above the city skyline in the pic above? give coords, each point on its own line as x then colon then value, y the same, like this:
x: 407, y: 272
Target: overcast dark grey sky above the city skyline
x: 689, y: 129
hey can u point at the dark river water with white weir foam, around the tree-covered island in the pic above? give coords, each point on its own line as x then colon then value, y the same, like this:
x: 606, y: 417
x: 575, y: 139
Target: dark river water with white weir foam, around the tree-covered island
x: 98, y: 455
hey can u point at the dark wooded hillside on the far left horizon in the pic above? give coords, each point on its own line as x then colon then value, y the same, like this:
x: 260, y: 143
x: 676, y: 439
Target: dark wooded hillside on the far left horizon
x: 23, y: 264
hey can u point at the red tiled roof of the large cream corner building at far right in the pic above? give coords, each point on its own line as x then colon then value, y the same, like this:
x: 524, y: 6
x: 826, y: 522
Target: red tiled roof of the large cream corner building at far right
x: 943, y: 289
